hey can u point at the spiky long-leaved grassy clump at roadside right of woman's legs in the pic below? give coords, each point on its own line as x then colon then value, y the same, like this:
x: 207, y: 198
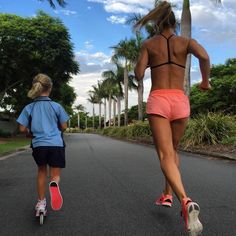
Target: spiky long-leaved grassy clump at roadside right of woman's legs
x: 208, y: 129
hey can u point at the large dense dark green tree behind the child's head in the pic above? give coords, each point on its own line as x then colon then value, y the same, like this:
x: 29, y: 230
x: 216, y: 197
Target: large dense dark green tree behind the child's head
x: 29, y: 46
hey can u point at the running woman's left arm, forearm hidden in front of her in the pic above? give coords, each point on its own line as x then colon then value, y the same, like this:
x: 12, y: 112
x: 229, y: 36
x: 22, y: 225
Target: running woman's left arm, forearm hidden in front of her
x: 142, y: 63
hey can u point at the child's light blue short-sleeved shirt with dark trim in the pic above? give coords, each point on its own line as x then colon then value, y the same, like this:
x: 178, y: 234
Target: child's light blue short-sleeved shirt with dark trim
x: 46, y: 115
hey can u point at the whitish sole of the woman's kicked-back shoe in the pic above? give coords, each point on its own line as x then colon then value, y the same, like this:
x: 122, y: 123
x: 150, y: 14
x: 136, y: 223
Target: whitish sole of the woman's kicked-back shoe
x: 194, y: 225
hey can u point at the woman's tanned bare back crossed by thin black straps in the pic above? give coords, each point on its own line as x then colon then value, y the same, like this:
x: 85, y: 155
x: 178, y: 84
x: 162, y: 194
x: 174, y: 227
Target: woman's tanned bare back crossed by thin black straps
x: 167, y: 71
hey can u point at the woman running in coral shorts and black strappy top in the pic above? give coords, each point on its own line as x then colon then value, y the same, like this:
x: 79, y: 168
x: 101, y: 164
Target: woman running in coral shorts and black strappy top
x: 167, y: 105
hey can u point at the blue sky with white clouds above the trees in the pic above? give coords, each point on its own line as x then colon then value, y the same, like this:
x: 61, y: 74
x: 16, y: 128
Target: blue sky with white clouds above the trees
x: 97, y: 25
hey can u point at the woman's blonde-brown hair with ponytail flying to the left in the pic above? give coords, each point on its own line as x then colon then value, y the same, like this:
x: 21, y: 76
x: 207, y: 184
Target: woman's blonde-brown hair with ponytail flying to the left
x: 162, y: 16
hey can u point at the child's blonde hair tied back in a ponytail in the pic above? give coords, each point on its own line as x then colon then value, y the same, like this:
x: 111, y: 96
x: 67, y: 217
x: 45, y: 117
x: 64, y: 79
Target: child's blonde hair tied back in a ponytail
x: 41, y: 83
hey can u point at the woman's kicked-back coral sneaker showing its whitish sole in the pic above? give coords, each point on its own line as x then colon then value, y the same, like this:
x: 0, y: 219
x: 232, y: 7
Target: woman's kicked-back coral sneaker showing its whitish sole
x: 190, y: 212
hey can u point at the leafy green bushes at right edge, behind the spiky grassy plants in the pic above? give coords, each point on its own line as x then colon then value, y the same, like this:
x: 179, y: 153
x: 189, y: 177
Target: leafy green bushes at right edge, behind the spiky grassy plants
x: 222, y: 97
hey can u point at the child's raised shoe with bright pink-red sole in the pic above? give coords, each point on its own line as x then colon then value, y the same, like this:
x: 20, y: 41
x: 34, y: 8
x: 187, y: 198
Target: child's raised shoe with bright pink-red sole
x: 56, y: 198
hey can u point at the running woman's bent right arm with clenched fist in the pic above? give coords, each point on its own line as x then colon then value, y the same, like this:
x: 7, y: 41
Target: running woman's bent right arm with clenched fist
x: 204, y: 62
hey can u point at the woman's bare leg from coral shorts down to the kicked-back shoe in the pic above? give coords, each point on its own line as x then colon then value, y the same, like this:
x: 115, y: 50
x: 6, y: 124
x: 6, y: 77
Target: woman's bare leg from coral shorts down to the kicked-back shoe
x: 162, y: 134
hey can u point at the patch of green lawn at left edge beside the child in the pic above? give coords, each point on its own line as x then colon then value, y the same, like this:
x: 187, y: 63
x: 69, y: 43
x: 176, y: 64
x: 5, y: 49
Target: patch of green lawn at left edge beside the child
x: 13, y: 145
